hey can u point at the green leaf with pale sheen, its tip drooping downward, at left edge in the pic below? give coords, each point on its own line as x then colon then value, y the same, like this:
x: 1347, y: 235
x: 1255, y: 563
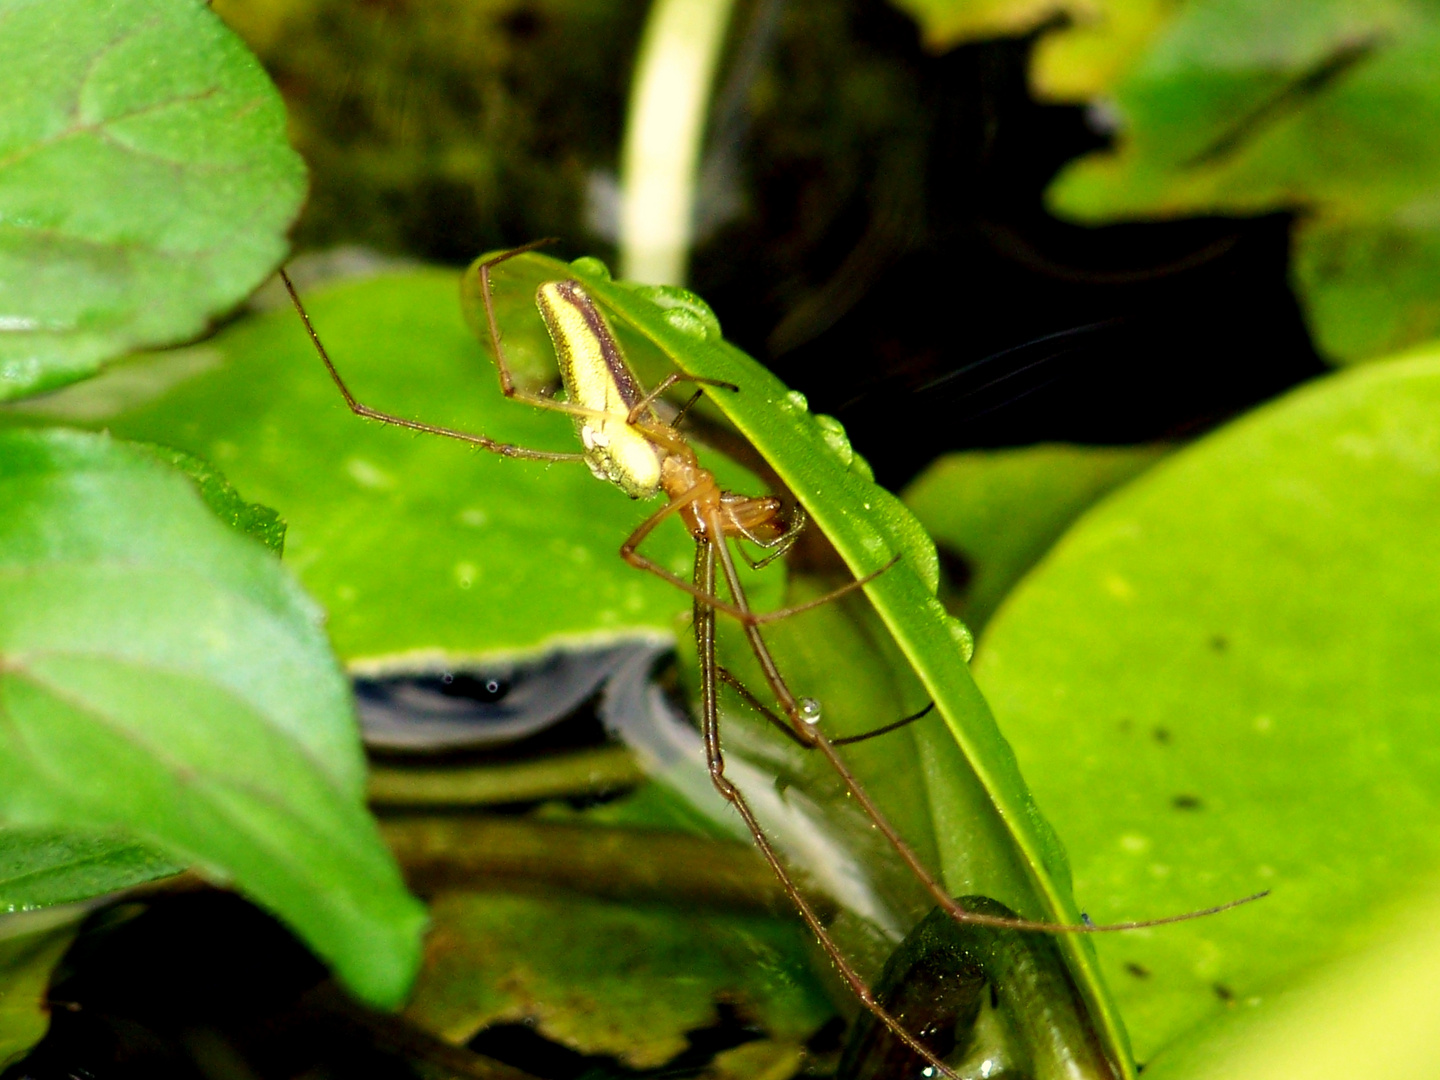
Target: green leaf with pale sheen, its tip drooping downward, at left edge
x: 162, y: 676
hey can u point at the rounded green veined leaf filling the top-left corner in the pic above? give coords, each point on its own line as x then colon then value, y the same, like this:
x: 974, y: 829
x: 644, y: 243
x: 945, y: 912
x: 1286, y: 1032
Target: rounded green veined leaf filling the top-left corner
x: 146, y: 184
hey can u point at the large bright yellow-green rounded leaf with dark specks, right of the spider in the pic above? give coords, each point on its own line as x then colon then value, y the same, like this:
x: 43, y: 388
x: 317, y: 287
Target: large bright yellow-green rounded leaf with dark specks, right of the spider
x: 1223, y: 680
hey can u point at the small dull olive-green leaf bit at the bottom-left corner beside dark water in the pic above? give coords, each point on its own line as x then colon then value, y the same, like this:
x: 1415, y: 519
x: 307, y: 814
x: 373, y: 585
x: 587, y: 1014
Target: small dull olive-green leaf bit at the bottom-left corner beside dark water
x: 31, y: 945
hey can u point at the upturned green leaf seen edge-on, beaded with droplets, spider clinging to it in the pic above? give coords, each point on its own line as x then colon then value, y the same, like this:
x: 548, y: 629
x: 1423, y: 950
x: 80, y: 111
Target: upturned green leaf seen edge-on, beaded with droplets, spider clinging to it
x: 990, y: 836
